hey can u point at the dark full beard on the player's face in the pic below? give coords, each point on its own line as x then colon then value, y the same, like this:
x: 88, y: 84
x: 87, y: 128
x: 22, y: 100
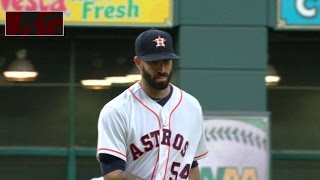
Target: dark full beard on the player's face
x: 152, y: 83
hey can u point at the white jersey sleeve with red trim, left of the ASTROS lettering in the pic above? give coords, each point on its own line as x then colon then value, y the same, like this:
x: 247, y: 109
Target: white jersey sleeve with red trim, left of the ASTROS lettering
x: 111, y: 133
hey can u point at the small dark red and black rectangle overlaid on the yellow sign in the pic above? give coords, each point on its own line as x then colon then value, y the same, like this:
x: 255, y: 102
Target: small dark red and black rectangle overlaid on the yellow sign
x: 34, y: 24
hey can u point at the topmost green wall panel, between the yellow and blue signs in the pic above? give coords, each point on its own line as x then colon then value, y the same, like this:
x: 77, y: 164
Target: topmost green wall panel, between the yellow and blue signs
x: 219, y: 12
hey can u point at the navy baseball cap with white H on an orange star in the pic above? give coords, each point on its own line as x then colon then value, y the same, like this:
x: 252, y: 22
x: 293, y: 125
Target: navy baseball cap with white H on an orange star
x: 153, y: 45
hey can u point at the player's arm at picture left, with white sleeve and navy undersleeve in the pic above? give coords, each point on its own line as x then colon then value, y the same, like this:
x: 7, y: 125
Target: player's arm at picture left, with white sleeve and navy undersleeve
x: 112, y: 145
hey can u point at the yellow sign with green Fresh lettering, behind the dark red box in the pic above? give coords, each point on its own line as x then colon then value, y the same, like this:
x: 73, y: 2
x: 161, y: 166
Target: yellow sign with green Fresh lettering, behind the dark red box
x: 99, y: 12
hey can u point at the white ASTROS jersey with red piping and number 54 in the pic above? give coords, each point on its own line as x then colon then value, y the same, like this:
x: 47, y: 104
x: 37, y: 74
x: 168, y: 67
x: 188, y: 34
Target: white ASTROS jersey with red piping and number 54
x: 157, y: 142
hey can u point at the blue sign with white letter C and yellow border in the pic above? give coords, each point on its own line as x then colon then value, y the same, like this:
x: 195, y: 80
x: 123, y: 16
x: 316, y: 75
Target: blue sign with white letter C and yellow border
x: 299, y: 14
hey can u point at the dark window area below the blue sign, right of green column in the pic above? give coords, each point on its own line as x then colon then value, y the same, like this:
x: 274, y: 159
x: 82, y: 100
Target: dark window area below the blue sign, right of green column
x: 294, y: 104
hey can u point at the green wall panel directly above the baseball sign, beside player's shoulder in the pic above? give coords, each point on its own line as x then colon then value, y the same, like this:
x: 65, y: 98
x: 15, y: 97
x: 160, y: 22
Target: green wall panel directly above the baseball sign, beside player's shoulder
x: 220, y: 90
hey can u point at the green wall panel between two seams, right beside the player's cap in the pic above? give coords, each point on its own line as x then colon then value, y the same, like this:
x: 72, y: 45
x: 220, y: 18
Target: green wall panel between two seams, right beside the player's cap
x: 223, y: 47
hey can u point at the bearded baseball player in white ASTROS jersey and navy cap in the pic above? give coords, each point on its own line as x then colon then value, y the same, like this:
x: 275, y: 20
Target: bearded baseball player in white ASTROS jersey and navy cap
x: 153, y: 130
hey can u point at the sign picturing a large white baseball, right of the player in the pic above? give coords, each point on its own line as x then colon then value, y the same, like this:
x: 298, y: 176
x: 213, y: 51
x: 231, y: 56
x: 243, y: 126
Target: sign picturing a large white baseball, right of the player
x: 238, y: 148
